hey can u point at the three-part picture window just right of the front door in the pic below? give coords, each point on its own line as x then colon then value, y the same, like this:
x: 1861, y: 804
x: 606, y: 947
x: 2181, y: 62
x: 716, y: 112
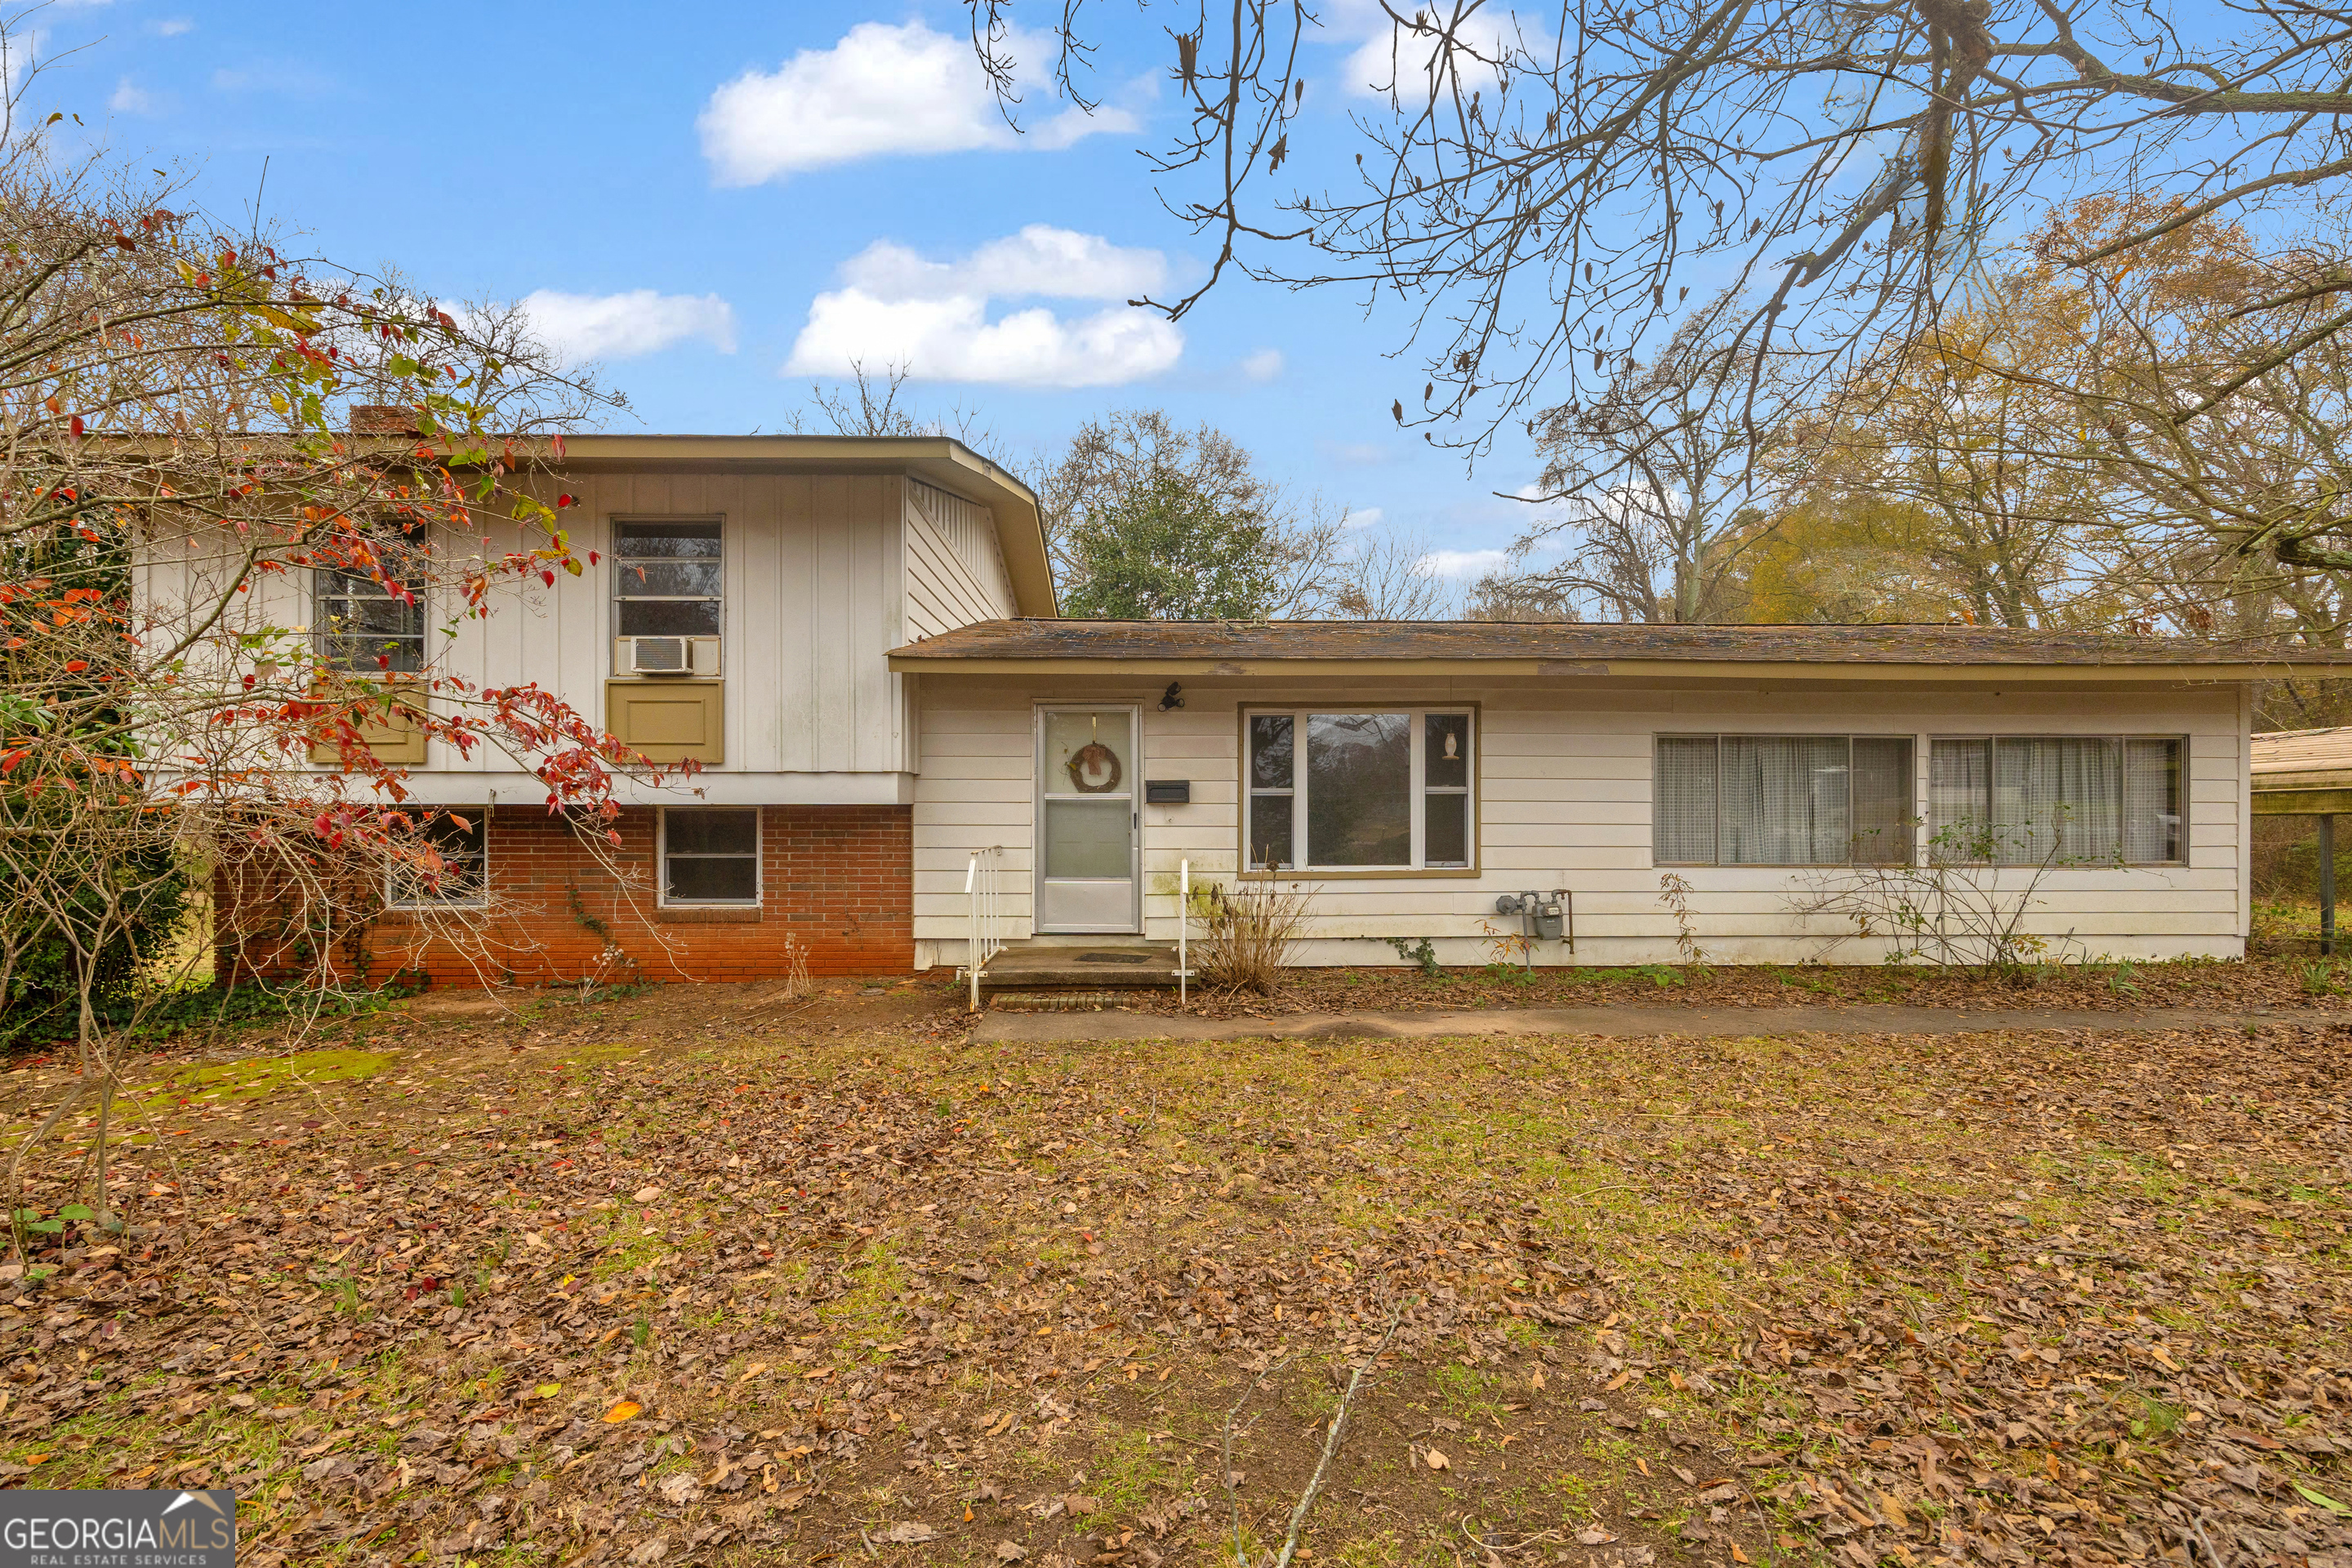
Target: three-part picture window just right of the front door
x: 1358, y: 791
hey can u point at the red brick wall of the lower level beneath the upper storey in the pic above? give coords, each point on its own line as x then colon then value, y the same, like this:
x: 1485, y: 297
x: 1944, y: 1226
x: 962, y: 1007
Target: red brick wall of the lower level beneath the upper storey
x: 841, y: 880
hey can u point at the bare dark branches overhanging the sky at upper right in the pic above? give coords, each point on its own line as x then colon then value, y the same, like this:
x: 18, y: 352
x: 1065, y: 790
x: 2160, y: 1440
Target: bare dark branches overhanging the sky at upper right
x: 1544, y: 189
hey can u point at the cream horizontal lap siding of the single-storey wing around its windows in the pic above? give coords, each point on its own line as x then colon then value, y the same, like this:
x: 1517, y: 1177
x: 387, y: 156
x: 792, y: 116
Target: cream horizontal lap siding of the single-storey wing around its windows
x: 1565, y: 800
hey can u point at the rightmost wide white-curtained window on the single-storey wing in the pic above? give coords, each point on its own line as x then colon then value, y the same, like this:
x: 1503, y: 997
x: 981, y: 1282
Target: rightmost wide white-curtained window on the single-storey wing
x: 2057, y: 800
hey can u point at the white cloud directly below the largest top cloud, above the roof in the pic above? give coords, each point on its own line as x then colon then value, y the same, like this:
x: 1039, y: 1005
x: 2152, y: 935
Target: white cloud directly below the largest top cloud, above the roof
x: 933, y: 316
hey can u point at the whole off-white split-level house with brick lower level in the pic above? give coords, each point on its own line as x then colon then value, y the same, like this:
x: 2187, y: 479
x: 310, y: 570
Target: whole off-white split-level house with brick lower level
x: 860, y: 643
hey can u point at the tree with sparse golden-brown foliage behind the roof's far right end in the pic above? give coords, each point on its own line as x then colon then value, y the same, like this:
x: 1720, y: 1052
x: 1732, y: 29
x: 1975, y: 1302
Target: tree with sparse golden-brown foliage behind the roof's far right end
x: 2165, y: 431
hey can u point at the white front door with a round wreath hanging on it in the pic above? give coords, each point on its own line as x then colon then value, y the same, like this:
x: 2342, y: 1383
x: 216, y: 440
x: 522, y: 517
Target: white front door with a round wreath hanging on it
x: 1088, y: 815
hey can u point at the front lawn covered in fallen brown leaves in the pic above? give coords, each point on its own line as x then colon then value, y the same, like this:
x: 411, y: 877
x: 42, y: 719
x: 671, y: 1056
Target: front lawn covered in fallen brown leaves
x: 695, y: 1278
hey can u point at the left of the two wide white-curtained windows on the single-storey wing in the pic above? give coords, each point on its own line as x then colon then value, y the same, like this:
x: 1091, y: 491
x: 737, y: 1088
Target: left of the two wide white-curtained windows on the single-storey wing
x: 1784, y: 800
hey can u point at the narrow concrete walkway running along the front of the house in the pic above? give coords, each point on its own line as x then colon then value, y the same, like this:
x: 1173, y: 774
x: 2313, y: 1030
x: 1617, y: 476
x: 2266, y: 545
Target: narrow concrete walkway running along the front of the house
x: 1631, y: 1021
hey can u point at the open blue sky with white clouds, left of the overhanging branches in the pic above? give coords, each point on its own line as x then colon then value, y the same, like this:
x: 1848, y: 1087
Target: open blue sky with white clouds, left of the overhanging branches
x: 709, y: 196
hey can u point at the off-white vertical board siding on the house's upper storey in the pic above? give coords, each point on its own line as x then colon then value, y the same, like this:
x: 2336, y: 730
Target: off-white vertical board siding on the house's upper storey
x: 824, y: 575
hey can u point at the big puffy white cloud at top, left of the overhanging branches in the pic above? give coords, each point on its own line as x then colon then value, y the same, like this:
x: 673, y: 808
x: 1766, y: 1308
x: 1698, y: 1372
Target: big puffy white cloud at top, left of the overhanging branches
x: 881, y: 91
